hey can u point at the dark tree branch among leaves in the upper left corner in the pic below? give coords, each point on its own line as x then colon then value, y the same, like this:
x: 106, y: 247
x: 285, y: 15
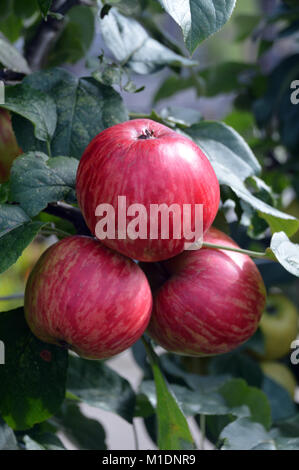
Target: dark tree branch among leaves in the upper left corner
x: 38, y: 49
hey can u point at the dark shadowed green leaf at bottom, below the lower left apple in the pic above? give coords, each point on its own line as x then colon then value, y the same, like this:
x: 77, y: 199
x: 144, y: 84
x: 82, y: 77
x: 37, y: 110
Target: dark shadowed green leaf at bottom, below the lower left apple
x: 84, y: 433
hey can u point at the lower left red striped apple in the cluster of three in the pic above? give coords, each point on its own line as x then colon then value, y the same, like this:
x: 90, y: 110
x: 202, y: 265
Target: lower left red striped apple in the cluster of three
x: 83, y: 295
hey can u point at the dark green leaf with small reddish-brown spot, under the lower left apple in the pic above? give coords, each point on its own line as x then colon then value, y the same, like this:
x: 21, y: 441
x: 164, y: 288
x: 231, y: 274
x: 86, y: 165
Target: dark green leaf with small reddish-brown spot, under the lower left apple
x: 34, y: 375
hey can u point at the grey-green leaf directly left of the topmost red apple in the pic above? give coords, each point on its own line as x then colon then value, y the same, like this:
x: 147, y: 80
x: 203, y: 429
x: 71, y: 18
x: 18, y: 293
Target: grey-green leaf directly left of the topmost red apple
x: 37, y: 180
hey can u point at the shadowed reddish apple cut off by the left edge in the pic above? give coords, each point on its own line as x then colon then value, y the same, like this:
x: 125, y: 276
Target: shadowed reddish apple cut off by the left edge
x: 9, y: 148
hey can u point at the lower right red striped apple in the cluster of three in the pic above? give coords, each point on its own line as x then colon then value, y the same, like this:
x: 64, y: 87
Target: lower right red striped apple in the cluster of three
x: 212, y: 303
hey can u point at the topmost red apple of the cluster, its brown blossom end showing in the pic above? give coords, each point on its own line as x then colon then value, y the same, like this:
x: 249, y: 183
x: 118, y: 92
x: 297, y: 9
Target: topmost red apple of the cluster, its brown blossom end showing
x: 164, y: 169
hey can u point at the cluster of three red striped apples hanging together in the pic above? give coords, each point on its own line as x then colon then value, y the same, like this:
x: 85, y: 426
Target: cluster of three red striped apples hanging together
x: 93, y: 297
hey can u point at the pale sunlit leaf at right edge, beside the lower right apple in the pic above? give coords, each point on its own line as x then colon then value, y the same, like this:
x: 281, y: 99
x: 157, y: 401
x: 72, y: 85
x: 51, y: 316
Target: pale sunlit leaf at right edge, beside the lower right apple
x: 286, y: 252
